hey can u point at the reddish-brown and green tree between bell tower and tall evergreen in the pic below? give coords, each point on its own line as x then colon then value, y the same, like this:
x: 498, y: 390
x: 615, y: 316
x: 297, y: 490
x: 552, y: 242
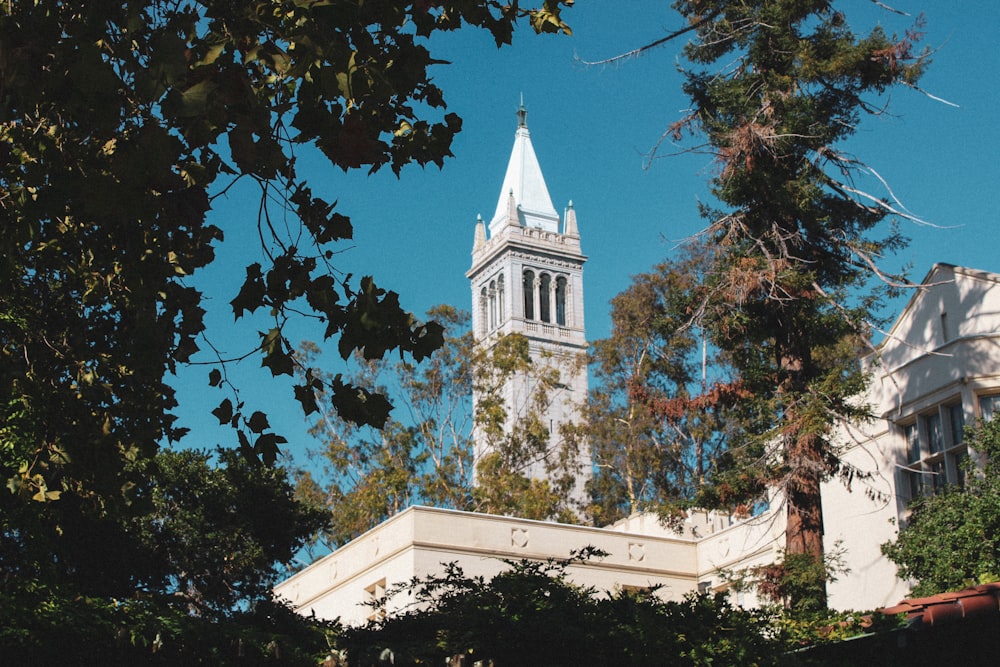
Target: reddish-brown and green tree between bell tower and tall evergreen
x: 661, y: 411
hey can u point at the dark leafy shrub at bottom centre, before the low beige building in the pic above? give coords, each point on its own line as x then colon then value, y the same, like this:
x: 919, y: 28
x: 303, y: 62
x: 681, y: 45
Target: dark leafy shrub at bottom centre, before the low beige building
x: 532, y: 615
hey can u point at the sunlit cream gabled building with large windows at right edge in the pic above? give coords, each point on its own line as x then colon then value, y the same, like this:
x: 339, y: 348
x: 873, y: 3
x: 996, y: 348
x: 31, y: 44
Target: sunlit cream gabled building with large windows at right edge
x: 936, y: 371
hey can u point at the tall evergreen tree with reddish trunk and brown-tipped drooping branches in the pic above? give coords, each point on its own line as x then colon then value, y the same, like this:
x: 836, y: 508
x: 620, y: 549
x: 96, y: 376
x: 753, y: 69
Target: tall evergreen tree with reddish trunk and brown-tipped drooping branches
x: 790, y: 297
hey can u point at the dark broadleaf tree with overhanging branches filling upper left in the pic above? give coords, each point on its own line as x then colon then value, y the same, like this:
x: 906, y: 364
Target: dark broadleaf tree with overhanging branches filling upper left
x: 119, y: 122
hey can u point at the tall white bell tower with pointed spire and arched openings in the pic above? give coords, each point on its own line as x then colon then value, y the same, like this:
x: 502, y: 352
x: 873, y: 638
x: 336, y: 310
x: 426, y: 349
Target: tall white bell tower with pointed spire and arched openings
x: 527, y: 278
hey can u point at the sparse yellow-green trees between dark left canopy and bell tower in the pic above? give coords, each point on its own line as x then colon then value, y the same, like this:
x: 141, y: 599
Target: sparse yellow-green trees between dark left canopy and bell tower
x: 362, y: 475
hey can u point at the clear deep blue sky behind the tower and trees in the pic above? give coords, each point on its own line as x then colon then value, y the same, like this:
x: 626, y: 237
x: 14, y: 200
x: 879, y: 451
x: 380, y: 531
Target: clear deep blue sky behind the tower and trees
x: 592, y: 128
